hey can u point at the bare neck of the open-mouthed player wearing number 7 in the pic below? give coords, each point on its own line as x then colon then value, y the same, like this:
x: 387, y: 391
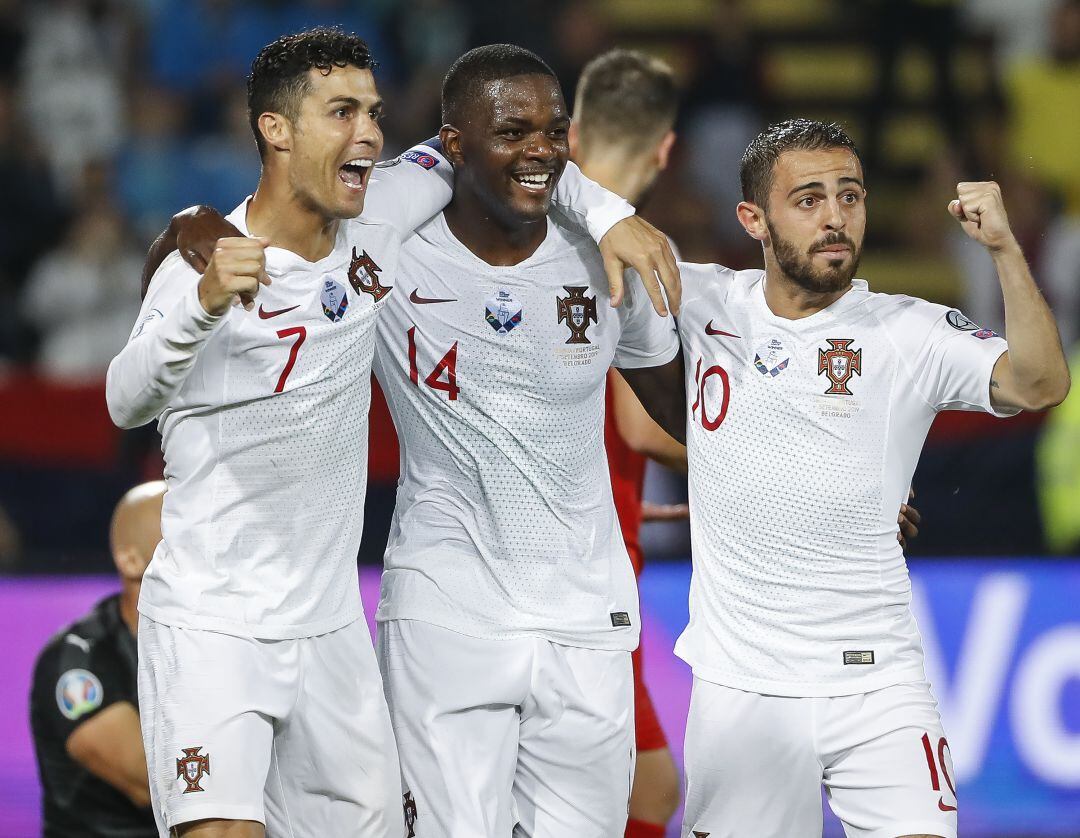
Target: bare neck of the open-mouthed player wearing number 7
x: 279, y: 214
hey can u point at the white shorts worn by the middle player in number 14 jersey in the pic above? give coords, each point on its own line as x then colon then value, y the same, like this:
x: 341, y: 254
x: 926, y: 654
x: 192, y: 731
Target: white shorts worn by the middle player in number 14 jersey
x: 499, y: 738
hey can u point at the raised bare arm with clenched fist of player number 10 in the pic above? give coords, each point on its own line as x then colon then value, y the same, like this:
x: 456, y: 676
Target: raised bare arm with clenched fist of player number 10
x: 1033, y: 374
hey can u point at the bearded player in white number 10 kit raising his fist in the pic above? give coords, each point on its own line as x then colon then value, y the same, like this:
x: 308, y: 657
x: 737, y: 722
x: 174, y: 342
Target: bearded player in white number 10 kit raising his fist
x: 809, y: 399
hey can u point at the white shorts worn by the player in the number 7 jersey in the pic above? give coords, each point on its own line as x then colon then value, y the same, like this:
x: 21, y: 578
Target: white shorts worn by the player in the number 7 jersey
x: 292, y: 734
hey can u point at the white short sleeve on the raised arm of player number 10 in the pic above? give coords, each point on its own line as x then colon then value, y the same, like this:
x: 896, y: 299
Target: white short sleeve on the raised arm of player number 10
x: 952, y: 358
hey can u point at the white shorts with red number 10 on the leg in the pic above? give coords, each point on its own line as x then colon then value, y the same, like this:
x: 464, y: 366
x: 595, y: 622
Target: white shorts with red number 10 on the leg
x: 755, y: 764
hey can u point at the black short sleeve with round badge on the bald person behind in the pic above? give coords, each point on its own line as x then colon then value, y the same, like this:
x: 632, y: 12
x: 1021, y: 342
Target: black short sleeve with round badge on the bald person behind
x: 77, y: 680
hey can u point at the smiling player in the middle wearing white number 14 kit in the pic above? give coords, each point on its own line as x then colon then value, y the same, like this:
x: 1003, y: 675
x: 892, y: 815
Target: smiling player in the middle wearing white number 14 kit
x: 509, y: 607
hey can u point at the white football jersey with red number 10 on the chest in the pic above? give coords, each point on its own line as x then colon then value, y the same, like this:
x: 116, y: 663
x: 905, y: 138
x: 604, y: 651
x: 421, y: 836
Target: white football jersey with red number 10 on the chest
x: 804, y: 436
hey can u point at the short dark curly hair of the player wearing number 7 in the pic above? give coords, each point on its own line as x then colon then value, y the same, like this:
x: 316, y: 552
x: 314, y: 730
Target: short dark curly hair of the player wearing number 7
x: 279, y: 79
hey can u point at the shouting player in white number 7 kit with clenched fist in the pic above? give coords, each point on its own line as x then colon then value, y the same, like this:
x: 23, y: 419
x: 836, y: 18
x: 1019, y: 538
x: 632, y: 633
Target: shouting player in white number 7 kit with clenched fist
x: 263, y: 700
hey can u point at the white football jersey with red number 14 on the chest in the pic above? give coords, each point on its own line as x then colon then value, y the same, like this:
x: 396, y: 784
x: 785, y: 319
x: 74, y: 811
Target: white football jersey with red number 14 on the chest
x: 495, y: 376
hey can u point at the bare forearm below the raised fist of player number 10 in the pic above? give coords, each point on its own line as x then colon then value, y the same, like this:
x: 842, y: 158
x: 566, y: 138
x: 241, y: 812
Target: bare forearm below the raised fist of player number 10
x: 1039, y: 368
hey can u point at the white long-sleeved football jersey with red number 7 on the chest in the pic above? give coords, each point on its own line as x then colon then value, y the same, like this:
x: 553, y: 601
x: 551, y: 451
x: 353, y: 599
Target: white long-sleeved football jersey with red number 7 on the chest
x: 264, y: 425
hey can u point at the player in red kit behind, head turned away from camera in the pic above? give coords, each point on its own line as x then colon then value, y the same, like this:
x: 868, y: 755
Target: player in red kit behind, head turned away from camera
x: 622, y: 138
